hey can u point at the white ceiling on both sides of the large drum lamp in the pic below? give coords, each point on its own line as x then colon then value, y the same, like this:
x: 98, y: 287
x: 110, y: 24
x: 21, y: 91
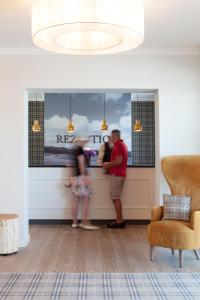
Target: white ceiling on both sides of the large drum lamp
x: 168, y: 23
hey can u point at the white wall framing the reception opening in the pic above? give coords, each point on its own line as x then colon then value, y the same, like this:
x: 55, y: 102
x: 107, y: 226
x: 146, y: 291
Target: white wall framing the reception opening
x: 176, y: 77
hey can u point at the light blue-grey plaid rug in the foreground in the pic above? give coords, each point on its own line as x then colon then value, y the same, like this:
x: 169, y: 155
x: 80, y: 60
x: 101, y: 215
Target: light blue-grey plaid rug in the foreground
x: 106, y: 286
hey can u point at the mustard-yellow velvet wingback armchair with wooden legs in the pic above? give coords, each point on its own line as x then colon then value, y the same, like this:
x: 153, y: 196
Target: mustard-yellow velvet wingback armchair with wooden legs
x: 183, y: 176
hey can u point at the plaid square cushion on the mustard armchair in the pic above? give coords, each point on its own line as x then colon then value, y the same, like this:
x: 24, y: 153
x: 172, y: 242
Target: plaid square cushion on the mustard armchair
x: 176, y: 207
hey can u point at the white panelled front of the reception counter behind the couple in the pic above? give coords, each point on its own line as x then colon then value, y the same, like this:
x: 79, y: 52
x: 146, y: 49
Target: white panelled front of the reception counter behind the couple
x: 50, y: 199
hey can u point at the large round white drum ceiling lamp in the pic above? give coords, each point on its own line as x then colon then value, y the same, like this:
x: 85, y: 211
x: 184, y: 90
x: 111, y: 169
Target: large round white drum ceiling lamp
x: 88, y: 26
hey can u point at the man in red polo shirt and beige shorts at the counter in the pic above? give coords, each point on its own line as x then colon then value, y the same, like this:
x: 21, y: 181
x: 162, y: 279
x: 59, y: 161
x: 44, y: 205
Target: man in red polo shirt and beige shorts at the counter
x: 117, y: 167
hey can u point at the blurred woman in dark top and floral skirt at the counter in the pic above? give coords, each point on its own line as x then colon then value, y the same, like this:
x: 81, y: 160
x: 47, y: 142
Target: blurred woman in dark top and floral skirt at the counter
x: 81, y: 186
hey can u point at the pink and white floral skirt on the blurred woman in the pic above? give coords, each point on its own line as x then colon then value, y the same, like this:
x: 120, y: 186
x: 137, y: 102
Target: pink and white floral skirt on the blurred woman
x: 81, y: 186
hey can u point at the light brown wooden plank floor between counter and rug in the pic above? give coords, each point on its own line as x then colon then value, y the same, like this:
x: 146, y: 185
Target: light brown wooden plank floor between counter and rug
x: 59, y: 248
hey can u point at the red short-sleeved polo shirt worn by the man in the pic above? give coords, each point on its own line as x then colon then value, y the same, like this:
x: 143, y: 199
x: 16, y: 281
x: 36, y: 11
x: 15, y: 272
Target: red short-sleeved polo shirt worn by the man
x: 119, y: 149
